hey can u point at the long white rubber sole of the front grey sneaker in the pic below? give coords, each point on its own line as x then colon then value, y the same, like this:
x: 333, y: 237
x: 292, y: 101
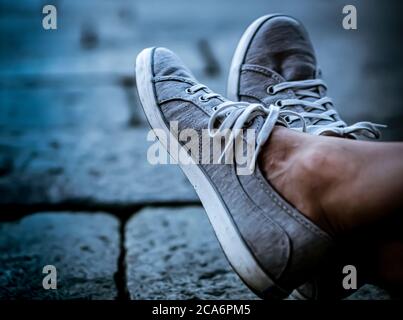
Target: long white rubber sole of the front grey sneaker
x: 227, y: 234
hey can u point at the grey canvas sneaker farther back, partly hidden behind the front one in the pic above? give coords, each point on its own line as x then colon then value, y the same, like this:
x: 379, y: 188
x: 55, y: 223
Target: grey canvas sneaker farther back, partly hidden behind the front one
x: 275, y: 63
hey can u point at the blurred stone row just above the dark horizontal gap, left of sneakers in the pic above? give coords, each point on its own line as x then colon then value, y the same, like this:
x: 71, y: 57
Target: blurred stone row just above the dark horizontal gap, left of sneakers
x: 88, y: 168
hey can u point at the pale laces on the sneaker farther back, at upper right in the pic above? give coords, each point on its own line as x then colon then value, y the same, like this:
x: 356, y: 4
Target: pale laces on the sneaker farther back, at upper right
x: 320, y: 108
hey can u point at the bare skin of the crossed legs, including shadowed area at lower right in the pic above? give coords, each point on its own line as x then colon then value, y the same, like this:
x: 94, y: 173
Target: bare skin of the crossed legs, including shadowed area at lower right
x: 346, y: 187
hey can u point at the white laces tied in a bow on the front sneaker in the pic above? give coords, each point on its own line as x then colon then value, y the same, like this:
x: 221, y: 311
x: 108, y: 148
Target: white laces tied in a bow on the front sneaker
x: 237, y: 115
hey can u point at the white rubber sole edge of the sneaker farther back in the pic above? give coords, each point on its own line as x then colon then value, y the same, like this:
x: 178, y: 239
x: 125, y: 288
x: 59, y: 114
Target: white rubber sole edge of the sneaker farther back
x: 239, y: 55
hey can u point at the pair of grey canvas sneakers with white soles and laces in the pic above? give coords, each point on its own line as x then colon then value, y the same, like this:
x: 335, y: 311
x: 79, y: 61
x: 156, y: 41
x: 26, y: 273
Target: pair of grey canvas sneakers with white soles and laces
x: 273, y: 80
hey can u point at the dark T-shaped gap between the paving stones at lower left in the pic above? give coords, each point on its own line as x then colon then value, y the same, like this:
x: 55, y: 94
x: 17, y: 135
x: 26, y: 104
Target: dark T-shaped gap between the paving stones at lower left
x: 14, y: 212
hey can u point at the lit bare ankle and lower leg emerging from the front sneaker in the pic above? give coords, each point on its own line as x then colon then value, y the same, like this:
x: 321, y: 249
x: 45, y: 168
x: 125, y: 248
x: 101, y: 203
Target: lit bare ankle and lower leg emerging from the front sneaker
x: 325, y: 178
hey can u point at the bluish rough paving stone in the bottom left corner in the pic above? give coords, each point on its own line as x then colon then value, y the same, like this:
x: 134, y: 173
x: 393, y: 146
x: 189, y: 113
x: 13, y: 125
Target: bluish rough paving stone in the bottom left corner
x: 83, y: 247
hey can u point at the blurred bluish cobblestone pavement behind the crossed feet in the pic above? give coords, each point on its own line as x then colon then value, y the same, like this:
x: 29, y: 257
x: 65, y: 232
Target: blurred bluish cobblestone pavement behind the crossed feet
x: 76, y: 190
